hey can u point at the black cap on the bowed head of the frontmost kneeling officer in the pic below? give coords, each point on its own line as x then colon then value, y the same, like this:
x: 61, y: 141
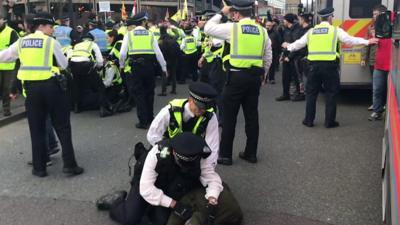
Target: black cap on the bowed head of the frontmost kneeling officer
x: 188, y: 147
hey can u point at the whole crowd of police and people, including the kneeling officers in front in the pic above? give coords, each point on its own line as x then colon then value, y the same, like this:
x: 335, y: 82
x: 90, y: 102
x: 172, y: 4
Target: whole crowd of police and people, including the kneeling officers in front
x: 227, y: 55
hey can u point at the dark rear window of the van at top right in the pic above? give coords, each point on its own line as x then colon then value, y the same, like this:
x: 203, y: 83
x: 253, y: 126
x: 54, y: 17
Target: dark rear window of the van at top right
x: 362, y: 8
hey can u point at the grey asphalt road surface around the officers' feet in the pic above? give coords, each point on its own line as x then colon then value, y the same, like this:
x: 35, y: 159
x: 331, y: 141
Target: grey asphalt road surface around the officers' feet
x: 305, y: 176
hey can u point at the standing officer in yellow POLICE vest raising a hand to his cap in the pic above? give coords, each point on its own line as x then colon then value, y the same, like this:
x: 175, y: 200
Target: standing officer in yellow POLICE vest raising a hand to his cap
x: 249, y: 61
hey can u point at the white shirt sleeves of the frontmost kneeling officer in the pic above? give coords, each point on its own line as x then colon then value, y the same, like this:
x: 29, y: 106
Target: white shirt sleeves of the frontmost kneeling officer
x: 156, y: 197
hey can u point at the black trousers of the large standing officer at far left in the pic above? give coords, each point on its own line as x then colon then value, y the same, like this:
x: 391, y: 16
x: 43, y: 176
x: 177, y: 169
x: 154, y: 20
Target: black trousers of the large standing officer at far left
x: 46, y: 98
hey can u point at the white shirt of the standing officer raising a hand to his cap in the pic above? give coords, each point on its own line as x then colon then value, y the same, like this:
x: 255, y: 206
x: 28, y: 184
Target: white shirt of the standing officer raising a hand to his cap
x: 222, y: 31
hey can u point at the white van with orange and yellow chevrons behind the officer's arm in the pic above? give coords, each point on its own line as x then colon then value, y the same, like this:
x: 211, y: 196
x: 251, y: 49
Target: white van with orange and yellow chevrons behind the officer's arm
x: 354, y: 16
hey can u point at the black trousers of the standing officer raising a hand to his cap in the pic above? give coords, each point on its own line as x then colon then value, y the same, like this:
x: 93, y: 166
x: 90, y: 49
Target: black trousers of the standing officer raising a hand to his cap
x: 241, y: 89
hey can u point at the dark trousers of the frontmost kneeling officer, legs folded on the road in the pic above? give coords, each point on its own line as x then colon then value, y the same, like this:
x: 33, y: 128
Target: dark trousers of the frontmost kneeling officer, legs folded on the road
x: 132, y: 210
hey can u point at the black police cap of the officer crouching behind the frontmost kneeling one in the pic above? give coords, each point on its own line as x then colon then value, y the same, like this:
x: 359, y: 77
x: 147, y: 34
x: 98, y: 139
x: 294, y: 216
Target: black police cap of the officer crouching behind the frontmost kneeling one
x: 203, y: 94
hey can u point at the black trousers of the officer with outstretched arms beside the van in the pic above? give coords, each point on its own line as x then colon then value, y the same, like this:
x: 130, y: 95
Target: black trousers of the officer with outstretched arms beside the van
x: 326, y: 74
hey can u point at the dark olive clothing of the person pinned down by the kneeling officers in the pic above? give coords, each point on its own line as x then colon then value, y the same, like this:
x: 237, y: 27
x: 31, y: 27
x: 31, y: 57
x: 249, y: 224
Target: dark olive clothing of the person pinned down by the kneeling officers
x: 228, y: 210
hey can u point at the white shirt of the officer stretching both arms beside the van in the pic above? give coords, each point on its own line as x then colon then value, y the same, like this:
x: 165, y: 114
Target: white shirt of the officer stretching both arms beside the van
x: 343, y: 36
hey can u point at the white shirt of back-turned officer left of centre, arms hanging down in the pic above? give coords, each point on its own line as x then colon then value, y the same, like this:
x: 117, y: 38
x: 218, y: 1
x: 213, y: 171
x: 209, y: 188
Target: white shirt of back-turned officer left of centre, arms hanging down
x: 157, y: 51
